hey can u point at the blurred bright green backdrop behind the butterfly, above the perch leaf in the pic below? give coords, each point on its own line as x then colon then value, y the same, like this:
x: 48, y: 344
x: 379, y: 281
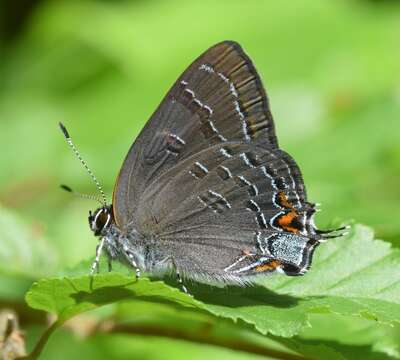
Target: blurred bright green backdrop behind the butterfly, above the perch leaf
x: 331, y: 69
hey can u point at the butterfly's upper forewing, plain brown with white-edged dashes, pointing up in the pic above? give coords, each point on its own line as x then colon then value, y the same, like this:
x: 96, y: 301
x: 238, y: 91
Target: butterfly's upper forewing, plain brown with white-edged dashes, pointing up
x: 218, y: 99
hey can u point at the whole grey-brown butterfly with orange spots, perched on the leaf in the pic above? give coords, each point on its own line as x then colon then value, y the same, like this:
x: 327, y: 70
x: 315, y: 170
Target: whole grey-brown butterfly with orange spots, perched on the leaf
x: 205, y: 191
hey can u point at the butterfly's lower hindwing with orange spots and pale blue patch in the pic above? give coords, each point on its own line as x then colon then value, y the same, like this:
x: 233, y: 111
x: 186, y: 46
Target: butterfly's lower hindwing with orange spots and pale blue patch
x: 231, y: 211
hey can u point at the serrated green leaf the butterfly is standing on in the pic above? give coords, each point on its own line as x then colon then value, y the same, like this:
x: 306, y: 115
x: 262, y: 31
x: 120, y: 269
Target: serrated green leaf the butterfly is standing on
x: 353, y: 276
